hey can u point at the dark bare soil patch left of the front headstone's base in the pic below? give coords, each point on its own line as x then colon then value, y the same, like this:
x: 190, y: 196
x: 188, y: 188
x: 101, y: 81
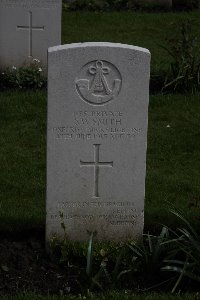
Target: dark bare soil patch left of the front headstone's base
x: 25, y: 266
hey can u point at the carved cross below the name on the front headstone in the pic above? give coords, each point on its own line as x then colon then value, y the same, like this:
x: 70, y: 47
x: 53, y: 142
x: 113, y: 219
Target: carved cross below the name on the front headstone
x: 96, y: 164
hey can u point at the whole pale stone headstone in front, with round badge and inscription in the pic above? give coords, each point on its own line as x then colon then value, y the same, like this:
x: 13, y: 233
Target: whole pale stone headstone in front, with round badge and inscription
x: 97, y: 135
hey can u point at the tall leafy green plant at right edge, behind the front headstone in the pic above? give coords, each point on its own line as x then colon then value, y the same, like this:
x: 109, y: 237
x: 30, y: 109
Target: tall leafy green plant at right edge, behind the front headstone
x: 184, y: 72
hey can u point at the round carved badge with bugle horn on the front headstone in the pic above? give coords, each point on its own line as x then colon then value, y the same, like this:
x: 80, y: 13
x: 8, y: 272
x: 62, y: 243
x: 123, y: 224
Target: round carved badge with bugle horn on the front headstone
x: 101, y: 84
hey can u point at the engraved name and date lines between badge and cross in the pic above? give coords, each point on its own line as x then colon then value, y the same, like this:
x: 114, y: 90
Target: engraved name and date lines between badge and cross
x: 91, y: 125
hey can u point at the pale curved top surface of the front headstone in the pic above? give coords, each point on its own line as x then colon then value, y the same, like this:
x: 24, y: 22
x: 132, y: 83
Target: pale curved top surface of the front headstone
x: 98, y: 44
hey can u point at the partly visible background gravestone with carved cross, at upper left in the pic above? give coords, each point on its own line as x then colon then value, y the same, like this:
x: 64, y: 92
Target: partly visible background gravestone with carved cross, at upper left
x: 27, y: 29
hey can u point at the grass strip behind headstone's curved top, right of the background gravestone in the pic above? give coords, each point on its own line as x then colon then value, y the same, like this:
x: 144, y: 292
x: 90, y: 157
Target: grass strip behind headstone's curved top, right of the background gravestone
x: 149, y: 30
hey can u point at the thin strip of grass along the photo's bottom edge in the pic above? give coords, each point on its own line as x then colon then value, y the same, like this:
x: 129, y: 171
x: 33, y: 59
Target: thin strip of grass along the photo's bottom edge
x: 108, y: 296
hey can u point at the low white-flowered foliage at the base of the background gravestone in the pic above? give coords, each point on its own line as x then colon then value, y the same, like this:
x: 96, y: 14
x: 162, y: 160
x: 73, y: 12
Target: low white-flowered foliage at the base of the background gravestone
x: 26, y: 77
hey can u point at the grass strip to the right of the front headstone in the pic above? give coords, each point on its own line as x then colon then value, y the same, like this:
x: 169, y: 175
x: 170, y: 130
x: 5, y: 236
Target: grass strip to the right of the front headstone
x: 173, y: 157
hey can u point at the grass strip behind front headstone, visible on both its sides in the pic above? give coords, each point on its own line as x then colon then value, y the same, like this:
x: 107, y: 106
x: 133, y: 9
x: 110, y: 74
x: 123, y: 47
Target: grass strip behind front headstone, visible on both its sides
x: 173, y: 159
